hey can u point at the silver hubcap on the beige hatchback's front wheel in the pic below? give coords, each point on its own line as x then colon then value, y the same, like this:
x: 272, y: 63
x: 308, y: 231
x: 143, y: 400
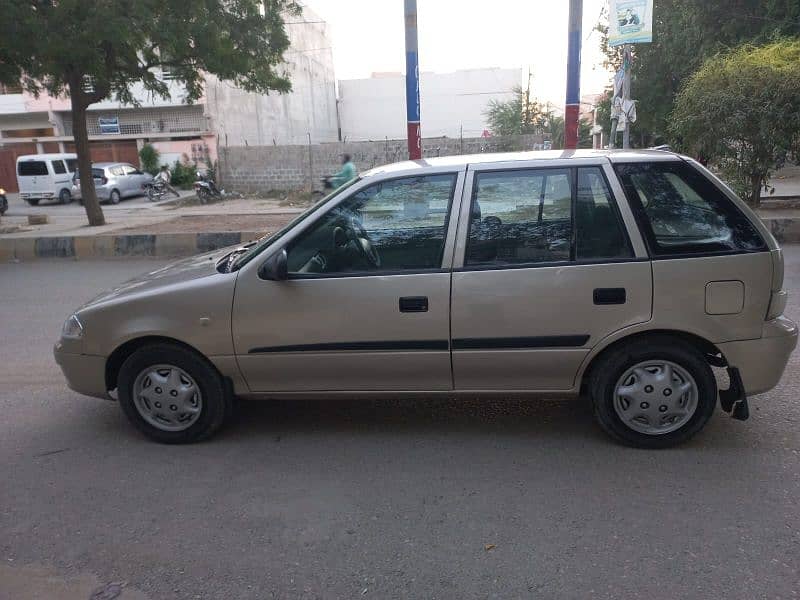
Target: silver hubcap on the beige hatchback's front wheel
x: 167, y: 397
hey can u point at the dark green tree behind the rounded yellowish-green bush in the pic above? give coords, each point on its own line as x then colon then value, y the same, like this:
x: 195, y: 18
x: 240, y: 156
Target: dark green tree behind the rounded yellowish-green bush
x: 685, y: 33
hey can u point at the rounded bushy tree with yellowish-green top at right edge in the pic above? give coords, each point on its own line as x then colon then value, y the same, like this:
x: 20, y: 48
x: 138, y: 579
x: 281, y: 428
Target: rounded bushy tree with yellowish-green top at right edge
x: 741, y: 110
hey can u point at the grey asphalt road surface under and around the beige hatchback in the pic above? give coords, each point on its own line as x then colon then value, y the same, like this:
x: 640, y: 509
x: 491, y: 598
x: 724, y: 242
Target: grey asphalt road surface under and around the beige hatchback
x: 369, y: 499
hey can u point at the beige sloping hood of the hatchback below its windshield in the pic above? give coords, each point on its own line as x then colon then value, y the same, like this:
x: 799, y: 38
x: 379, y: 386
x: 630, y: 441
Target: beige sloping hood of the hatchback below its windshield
x: 164, y: 278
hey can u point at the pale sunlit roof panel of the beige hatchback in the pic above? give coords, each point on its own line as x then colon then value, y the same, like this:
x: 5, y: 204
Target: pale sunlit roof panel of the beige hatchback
x: 460, y: 161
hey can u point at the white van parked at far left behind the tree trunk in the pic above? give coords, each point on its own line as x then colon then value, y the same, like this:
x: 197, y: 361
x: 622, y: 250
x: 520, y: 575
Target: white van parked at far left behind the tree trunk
x: 46, y: 177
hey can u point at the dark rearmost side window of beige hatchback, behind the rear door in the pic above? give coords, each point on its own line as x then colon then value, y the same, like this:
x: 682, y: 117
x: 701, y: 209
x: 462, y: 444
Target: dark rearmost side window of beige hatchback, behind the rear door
x: 680, y: 211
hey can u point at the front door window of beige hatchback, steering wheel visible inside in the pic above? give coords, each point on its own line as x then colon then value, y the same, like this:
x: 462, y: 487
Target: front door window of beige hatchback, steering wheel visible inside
x: 397, y: 225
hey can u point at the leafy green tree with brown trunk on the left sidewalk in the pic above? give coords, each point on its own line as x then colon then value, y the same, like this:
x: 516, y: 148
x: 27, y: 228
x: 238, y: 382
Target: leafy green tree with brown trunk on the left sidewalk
x: 92, y: 50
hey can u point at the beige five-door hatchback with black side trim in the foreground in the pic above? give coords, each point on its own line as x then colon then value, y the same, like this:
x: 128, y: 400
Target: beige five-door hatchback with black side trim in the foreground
x: 624, y: 276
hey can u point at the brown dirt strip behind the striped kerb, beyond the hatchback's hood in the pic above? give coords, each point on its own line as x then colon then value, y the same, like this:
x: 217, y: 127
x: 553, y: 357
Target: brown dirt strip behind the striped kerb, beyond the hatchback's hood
x: 213, y: 223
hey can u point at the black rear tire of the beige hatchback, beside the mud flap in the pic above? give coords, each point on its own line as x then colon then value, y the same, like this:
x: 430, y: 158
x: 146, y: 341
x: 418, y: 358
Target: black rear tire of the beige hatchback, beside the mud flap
x: 613, y: 365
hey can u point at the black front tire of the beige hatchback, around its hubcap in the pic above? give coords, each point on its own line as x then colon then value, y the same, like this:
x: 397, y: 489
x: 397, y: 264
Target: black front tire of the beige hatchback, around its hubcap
x: 216, y: 398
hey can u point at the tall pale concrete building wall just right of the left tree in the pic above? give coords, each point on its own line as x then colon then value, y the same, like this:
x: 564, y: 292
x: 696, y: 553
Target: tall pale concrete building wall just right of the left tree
x: 241, y: 118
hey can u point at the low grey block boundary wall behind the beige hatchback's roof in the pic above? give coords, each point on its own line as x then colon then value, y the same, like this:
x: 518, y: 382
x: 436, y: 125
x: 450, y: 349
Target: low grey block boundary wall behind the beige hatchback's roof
x: 264, y: 168
